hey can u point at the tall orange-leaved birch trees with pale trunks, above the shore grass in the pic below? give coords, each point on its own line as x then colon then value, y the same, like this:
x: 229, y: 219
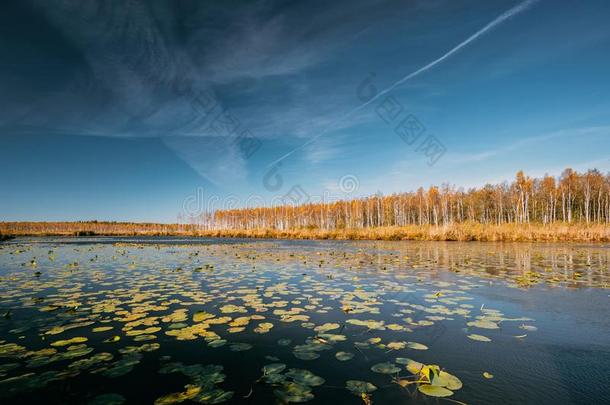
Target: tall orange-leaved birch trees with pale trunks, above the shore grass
x: 572, y: 198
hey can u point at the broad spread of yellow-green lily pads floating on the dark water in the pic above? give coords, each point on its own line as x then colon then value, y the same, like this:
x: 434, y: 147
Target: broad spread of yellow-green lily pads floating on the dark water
x: 131, y: 300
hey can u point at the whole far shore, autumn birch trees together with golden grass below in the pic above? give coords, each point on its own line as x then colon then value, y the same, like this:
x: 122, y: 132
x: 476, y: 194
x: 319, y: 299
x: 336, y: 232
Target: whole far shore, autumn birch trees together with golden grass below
x: 572, y: 207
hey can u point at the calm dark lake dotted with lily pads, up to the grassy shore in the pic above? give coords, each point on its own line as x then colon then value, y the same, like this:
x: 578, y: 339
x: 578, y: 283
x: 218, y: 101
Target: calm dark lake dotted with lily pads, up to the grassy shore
x: 179, y: 320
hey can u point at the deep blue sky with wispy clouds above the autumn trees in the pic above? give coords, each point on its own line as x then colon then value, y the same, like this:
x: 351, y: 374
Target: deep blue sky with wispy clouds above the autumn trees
x: 114, y: 113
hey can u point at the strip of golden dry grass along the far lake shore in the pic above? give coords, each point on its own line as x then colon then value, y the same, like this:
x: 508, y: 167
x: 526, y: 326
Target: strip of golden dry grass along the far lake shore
x: 558, y: 232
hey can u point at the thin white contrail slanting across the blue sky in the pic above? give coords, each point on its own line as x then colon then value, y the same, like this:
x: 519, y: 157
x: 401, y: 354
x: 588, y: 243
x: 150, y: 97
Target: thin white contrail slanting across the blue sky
x: 497, y: 21
